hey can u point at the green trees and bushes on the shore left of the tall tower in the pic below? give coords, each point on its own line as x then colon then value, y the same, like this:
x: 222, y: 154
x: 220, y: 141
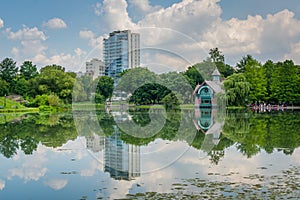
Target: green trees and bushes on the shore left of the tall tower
x: 51, y: 86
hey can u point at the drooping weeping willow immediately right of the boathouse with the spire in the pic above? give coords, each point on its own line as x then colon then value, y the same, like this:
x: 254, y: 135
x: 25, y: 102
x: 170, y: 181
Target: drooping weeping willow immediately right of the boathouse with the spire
x: 237, y: 90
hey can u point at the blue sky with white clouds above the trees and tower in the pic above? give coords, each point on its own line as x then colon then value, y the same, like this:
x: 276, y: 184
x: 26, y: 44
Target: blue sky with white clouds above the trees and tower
x: 174, y: 33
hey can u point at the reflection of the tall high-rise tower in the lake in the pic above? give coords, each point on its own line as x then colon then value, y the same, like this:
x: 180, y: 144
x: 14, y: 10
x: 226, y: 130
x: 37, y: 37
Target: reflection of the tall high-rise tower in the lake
x: 121, y: 160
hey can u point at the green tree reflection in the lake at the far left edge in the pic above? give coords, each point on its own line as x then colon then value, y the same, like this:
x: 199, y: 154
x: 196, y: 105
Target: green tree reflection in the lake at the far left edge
x: 26, y: 133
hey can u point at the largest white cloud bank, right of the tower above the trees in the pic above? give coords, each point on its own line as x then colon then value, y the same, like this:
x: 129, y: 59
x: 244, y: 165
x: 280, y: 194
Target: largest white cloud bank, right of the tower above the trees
x: 272, y: 37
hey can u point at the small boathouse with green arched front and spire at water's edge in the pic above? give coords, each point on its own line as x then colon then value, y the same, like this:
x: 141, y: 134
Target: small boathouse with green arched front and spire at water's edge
x: 205, y: 93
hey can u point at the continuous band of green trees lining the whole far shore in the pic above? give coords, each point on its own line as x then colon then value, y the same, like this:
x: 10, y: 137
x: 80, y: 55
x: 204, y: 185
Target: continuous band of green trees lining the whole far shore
x: 249, y: 82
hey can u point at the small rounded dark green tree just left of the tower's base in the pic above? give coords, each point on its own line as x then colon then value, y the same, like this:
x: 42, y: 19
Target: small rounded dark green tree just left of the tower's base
x: 105, y: 86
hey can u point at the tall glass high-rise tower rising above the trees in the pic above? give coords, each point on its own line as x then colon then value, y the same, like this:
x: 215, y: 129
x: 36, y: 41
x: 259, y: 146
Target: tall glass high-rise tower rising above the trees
x: 121, y: 52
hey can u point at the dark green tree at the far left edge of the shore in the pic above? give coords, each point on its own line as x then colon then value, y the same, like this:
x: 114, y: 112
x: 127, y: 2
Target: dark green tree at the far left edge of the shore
x: 8, y: 71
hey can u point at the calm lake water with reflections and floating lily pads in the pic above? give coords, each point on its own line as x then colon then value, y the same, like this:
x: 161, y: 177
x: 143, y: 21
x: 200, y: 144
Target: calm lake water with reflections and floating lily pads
x: 150, y: 154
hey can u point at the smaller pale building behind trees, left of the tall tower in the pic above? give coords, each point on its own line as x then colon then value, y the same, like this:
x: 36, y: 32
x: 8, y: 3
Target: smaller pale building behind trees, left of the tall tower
x: 95, y: 68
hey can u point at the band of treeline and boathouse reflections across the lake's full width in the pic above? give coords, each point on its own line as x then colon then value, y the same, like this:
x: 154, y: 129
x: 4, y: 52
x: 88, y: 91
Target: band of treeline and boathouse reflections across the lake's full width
x: 251, y: 132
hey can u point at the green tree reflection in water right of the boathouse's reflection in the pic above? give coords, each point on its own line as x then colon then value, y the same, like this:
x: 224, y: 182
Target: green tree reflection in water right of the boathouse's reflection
x: 254, y: 132
